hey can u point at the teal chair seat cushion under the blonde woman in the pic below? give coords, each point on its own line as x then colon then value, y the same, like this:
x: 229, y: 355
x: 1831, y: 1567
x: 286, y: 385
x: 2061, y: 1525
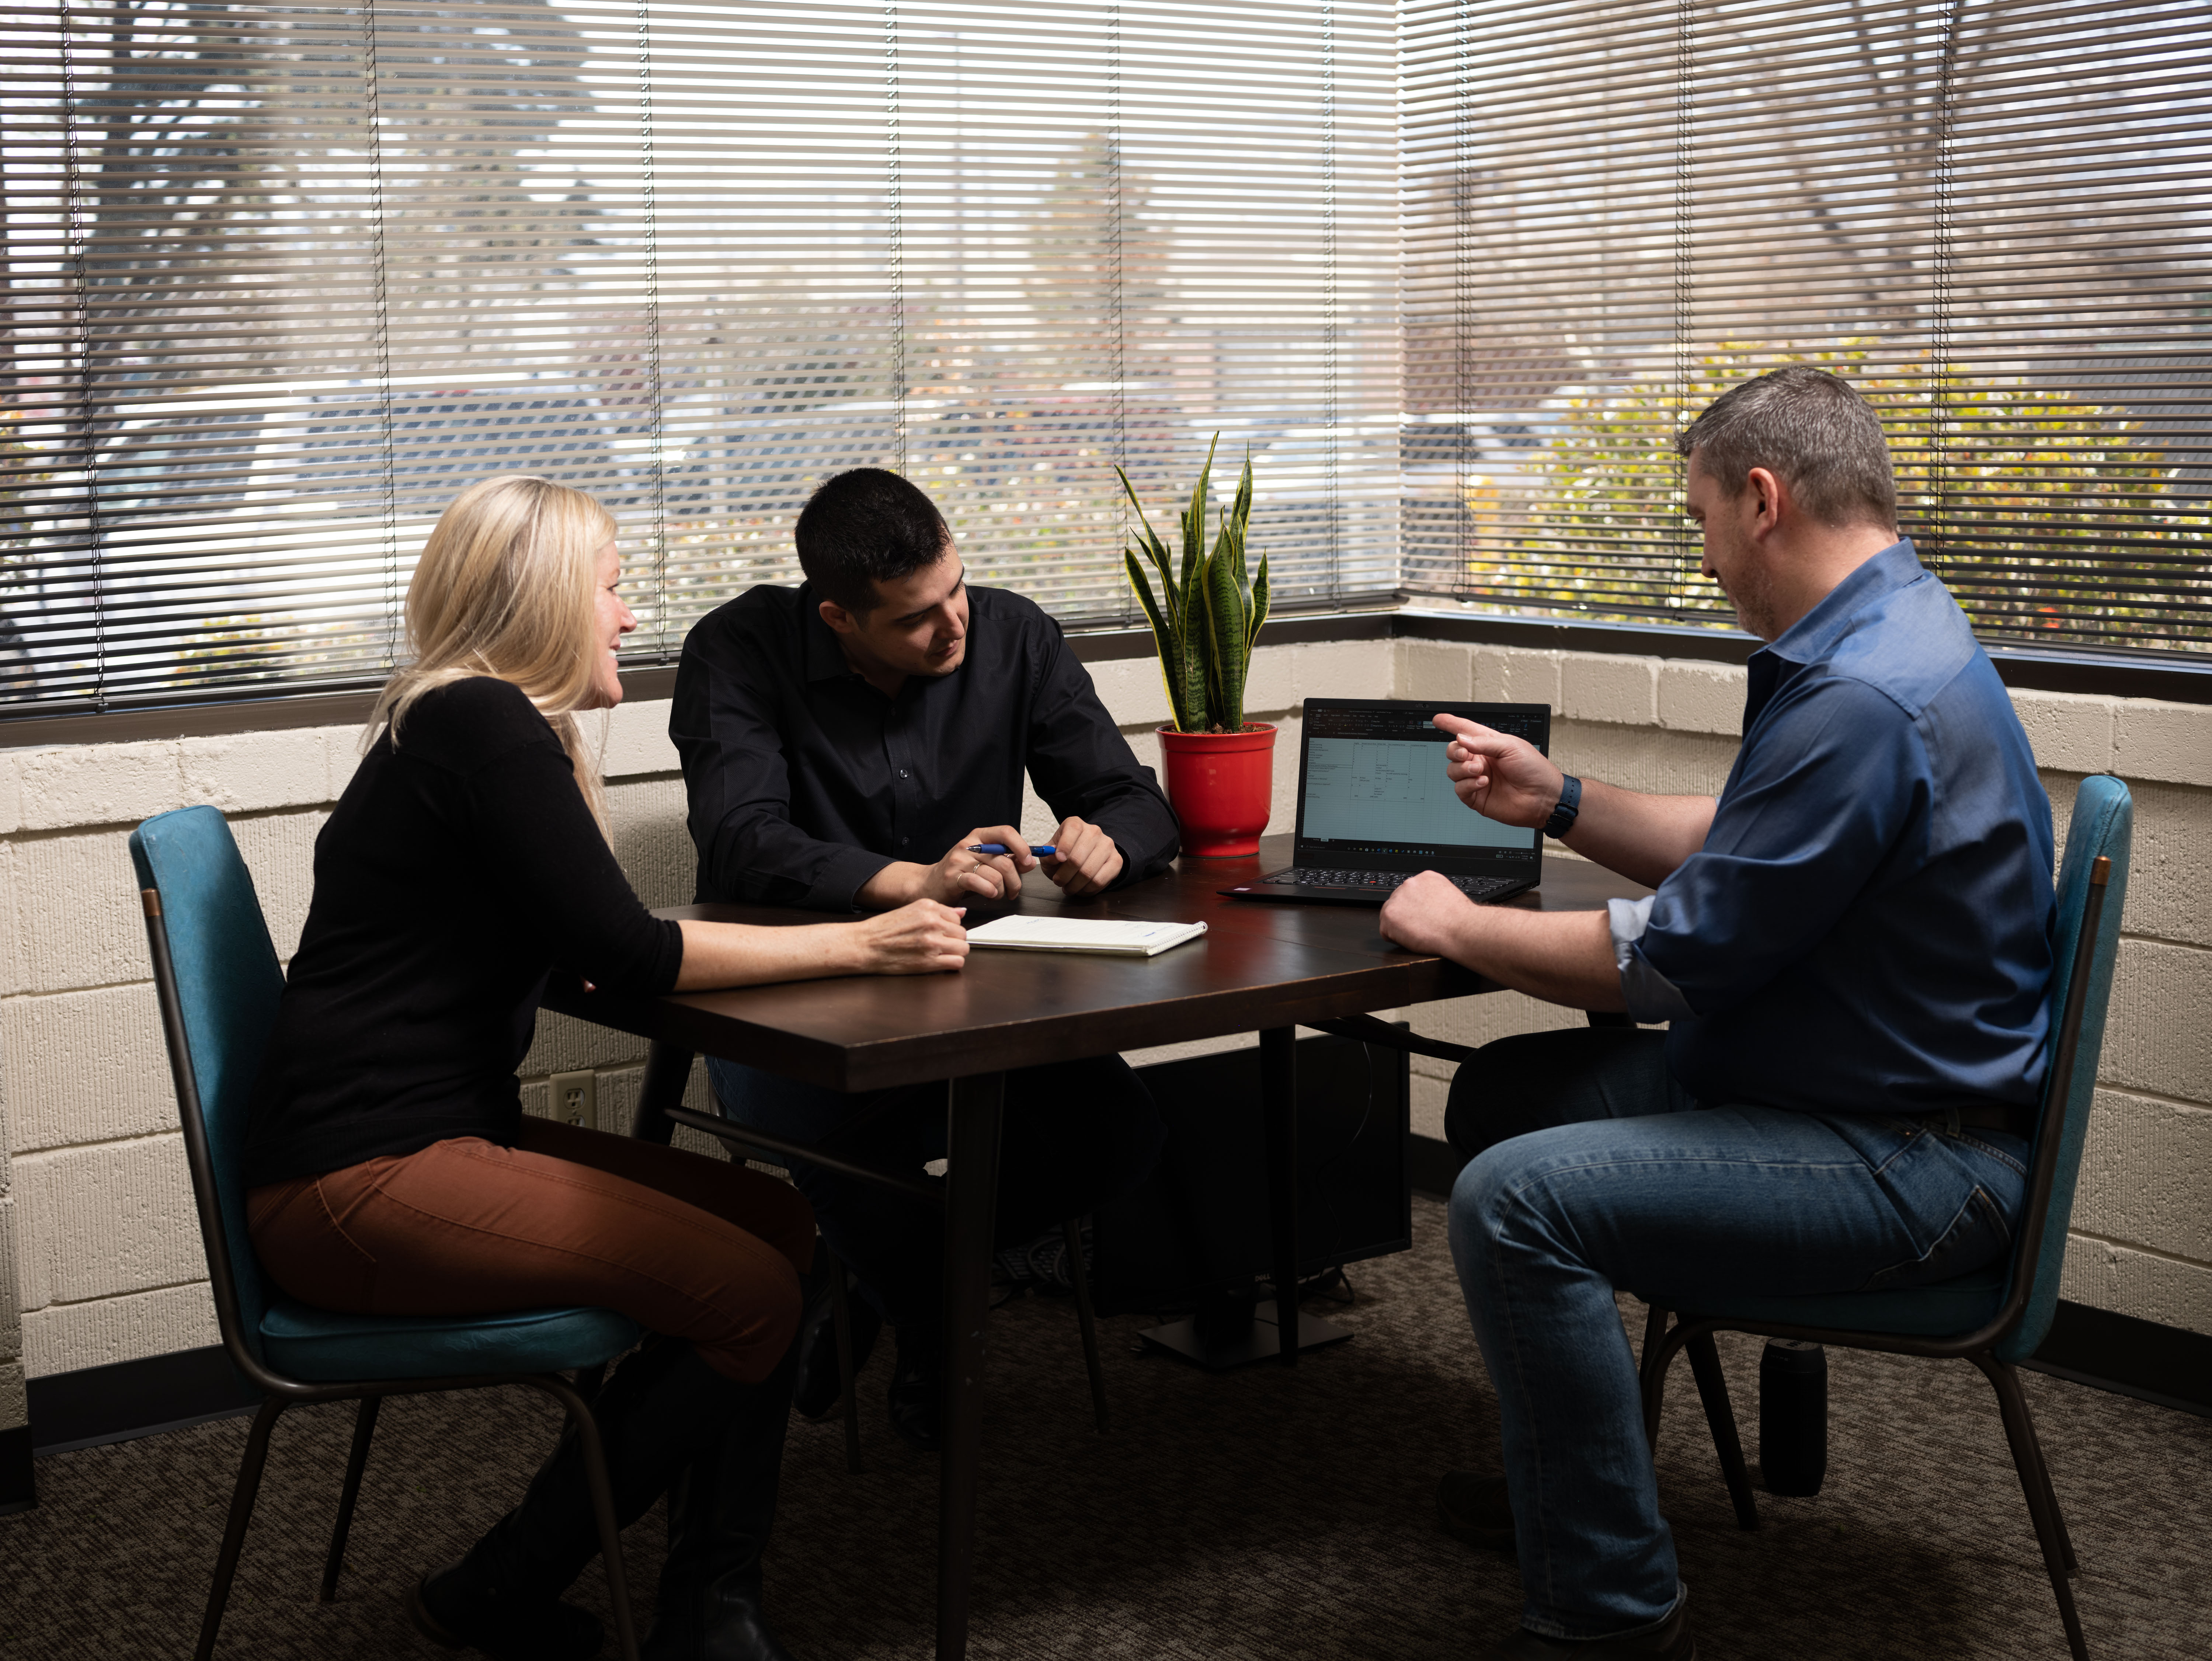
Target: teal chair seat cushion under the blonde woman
x: 328, y: 1348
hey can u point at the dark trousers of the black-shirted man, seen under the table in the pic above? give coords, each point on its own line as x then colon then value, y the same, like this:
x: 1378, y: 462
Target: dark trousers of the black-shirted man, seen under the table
x: 1074, y: 1136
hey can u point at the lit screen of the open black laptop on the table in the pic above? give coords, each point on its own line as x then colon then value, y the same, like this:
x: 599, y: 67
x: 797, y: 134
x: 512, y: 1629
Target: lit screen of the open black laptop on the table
x: 1373, y: 788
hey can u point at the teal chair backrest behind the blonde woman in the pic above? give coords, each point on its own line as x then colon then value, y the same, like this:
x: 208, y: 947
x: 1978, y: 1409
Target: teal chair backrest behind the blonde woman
x: 216, y: 972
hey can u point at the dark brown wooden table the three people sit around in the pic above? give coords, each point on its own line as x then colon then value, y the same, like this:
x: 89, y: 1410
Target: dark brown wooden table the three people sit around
x: 1262, y: 968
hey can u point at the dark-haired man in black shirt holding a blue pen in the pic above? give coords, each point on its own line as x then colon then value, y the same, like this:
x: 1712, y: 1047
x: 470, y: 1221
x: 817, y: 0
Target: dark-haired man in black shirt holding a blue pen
x: 844, y: 749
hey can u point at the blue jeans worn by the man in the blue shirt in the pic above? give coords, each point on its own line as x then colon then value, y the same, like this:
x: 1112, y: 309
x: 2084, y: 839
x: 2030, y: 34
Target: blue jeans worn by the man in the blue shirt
x: 1589, y: 1169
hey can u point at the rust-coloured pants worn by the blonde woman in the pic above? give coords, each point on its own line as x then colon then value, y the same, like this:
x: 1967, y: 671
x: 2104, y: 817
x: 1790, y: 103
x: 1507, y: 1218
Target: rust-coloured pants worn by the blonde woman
x: 682, y: 1244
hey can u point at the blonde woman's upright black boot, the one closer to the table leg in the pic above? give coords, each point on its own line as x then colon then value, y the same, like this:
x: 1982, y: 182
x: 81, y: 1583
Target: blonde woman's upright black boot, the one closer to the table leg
x: 720, y: 1514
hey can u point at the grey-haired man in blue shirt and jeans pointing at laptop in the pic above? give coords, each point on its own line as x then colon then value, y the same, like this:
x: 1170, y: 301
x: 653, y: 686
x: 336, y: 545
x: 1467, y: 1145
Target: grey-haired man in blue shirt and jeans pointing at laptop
x: 1853, y: 952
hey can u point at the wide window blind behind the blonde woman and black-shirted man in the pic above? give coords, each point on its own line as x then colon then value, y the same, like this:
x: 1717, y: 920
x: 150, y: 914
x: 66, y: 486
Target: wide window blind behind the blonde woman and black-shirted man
x: 282, y: 282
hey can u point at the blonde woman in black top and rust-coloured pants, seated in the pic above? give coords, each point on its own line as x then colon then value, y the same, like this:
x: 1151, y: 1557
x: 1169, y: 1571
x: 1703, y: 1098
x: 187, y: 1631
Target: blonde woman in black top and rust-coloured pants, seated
x: 388, y: 1162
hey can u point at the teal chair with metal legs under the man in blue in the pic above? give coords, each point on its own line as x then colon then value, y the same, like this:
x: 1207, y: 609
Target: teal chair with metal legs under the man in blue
x: 1994, y: 1317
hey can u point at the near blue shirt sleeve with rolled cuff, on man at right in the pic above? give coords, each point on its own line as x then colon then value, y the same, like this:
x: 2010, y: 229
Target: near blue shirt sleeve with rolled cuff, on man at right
x: 1804, y: 826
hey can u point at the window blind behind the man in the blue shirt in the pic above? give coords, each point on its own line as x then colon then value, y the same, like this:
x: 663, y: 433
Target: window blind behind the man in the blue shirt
x: 1994, y: 218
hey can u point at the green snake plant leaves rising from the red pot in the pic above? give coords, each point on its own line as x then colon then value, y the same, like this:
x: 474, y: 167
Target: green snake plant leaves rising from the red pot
x: 1209, y: 616
